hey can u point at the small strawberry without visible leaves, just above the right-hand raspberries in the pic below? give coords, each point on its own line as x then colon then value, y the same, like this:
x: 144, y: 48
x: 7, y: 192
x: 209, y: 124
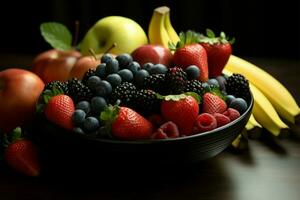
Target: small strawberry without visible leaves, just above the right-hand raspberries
x: 212, y: 103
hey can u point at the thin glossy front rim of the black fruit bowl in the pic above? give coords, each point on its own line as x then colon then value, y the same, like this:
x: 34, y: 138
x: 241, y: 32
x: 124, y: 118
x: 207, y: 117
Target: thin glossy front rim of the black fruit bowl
x: 189, y: 137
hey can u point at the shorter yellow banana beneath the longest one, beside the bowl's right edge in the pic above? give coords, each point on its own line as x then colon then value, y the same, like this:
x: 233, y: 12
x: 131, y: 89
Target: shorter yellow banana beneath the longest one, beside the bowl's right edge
x: 265, y: 113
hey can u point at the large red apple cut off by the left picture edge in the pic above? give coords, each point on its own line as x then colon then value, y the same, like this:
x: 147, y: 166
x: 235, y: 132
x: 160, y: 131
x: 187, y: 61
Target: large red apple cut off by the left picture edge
x: 19, y: 92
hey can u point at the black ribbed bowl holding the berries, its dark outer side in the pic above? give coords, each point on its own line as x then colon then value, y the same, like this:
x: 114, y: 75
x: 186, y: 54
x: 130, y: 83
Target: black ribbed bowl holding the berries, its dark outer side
x: 60, y: 148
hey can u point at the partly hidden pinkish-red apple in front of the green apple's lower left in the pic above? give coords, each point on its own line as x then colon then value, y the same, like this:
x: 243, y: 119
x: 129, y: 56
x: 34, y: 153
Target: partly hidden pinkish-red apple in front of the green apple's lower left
x: 84, y: 64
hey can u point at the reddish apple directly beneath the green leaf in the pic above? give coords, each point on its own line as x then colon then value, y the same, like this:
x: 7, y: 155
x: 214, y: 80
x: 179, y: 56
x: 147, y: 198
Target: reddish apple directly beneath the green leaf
x: 54, y: 65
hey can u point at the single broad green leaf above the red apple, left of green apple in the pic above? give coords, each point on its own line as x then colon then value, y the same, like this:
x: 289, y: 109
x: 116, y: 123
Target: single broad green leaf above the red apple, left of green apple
x: 57, y: 35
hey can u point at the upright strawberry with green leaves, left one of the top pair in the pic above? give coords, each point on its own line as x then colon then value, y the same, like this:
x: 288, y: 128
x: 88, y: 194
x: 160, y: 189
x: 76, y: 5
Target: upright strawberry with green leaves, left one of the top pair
x: 189, y: 52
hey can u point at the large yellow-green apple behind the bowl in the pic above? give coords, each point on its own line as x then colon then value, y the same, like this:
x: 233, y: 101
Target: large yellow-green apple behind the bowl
x: 126, y: 33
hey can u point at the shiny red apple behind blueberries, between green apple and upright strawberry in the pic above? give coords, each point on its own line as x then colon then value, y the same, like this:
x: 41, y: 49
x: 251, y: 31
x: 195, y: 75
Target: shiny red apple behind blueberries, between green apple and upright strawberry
x: 152, y: 53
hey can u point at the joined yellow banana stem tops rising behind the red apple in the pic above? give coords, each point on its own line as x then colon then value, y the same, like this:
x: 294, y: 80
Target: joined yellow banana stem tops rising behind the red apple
x: 160, y: 29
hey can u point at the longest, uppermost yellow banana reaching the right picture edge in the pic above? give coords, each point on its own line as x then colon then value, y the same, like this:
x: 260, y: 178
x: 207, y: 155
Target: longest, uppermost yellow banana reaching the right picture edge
x: 278, y: 95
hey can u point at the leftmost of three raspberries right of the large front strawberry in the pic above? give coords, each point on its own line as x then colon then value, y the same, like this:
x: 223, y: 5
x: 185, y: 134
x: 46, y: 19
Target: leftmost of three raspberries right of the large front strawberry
x: 206, y: 122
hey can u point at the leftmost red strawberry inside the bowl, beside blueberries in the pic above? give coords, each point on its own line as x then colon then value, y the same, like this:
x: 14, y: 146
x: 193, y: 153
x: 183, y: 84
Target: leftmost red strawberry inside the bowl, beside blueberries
x: 59, y: 110
